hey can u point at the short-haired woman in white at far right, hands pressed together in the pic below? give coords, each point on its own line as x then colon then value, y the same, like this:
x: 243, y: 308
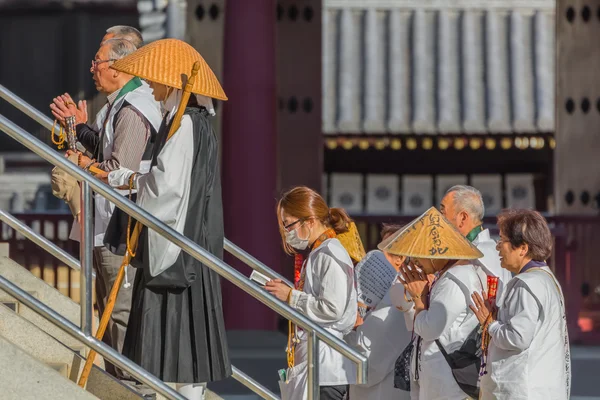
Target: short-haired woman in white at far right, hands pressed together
x: 528, y: 353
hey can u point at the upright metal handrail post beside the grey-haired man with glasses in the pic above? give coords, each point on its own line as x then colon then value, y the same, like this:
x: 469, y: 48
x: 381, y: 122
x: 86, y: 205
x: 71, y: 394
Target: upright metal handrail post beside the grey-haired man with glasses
x: 86, y: 246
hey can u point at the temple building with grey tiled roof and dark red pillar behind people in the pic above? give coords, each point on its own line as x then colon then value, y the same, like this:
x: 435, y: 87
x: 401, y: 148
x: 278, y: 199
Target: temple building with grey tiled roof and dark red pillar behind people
x: 380, y: 104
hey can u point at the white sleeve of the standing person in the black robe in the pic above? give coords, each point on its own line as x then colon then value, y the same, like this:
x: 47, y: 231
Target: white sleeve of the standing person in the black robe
x: 164, y: 192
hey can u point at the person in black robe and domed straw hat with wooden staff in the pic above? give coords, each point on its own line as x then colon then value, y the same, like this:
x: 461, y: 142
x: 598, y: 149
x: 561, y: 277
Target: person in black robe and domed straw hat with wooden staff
x: 176, y: 329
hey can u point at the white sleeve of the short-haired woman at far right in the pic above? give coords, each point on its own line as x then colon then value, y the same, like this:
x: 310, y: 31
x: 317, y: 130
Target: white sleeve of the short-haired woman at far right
x: 524, y: 311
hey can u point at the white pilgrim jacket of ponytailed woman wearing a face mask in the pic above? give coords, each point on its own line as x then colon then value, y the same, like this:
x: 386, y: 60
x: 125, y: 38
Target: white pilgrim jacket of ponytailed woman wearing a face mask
x: 329, y: 299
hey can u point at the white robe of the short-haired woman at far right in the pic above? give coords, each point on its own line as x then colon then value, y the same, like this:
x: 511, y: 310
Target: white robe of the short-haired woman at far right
x: 528, y: 355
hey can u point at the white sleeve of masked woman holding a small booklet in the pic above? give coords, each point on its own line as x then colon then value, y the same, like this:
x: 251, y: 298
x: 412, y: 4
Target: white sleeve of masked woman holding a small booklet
x: 329, y: 304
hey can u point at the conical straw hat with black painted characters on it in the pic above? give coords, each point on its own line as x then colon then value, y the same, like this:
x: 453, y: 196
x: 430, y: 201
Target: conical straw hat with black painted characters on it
x: 430, y: 236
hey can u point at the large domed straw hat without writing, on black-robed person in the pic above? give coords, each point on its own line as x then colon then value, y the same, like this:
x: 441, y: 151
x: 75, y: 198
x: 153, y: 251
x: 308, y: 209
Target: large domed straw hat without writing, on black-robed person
x: 166, y: 61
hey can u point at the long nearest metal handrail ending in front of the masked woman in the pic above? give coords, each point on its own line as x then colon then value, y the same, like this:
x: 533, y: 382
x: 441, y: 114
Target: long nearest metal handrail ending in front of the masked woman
x: 190, y: 247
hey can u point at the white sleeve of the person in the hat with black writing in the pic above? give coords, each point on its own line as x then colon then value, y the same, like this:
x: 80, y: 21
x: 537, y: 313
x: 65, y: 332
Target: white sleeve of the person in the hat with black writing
x: 444, y: 308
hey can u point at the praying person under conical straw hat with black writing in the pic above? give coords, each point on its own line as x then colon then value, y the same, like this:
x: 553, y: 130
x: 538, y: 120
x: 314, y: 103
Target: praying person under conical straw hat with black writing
x: 441, y: 319
